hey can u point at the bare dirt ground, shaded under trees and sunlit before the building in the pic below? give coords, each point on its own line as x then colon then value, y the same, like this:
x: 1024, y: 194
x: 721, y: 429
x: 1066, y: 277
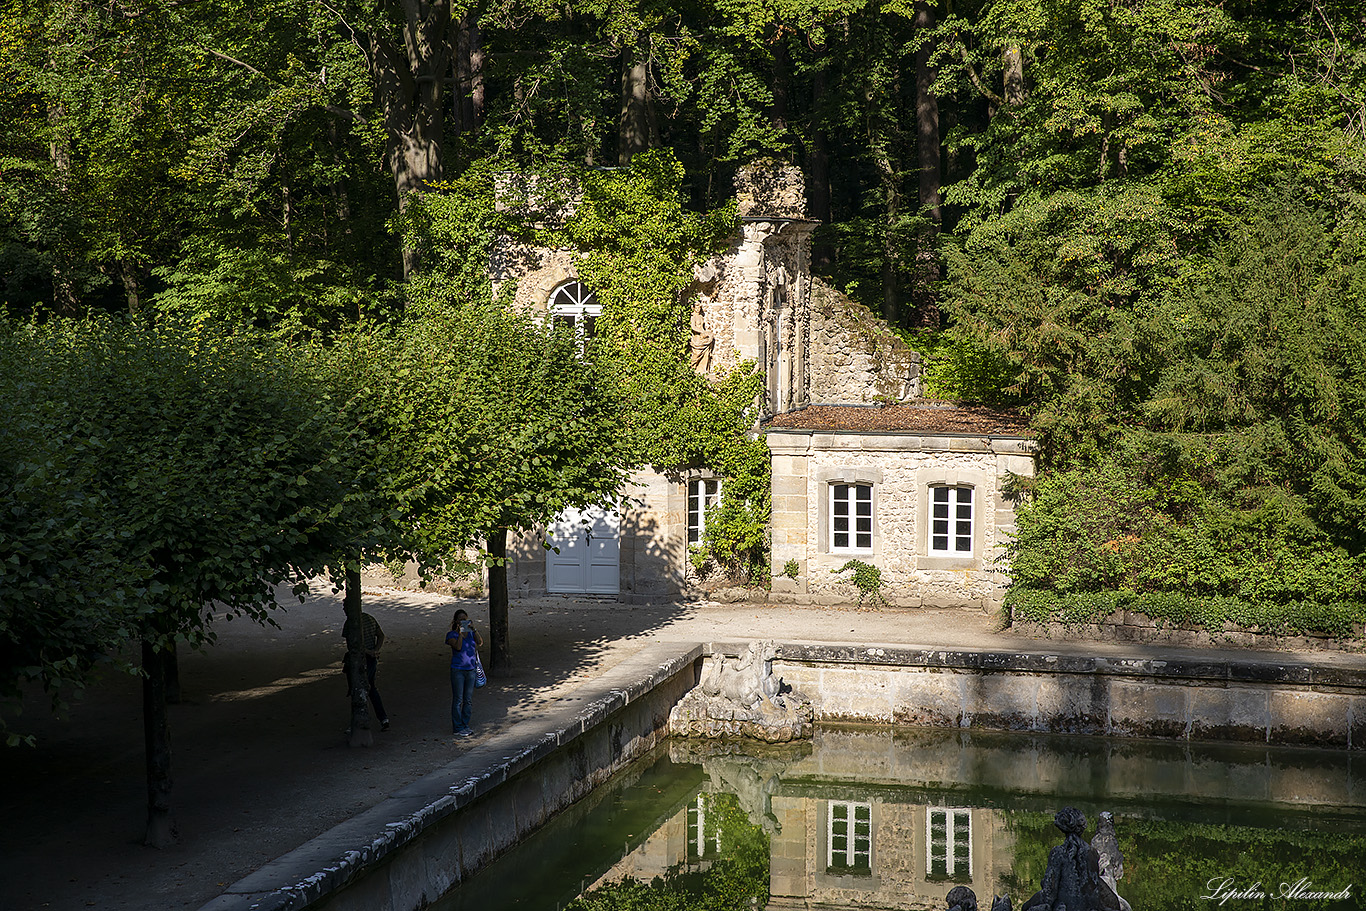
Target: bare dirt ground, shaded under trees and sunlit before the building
x: 260, y: 761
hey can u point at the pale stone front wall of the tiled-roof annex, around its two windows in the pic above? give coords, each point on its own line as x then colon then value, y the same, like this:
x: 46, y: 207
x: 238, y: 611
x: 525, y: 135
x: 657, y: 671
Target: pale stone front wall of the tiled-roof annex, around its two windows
x: 901, y: 468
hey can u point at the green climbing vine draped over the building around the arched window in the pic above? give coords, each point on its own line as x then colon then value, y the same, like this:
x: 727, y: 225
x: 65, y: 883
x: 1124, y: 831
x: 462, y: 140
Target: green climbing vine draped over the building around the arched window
x: 636, y: 247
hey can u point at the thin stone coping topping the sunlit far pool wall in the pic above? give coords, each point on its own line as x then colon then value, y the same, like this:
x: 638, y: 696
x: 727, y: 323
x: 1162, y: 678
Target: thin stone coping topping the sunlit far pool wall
x: 1219, y: 669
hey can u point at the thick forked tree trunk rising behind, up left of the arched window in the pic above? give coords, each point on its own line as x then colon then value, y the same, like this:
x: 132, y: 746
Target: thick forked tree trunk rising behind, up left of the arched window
x: 409, y: 87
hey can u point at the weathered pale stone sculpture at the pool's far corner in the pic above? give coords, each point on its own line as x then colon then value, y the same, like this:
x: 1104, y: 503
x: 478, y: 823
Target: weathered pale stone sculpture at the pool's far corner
x: 742, y: 697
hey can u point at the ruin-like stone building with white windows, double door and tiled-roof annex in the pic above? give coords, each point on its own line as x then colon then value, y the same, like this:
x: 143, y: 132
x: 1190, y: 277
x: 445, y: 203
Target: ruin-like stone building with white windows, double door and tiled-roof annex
x: 863, y: 469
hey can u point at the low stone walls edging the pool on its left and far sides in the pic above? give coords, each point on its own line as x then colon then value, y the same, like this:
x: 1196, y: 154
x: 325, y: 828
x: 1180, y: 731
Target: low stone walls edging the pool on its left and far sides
x: 622, y: 715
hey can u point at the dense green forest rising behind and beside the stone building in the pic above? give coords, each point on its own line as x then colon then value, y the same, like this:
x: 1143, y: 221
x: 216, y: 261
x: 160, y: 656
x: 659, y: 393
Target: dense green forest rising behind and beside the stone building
x: 1139, y: 221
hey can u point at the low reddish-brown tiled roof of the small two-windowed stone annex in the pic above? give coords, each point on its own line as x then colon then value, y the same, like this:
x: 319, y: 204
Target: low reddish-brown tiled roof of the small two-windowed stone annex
x: 923, y: 417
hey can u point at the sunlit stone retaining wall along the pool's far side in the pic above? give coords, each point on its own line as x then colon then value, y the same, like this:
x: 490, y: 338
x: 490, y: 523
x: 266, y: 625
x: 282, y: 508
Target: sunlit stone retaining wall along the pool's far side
x: 1287, y: 703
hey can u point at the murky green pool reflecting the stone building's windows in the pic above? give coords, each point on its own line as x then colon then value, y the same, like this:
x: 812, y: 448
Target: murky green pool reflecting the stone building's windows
x: 897, y: 817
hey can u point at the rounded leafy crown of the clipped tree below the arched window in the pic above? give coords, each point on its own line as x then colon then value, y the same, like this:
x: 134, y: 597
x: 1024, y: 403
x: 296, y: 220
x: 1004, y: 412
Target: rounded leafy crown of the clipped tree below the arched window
x: 480, y: 420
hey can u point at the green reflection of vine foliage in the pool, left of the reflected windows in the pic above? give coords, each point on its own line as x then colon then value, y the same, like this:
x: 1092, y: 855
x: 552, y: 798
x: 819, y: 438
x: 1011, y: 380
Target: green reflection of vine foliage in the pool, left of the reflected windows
x: 736, y: 880
